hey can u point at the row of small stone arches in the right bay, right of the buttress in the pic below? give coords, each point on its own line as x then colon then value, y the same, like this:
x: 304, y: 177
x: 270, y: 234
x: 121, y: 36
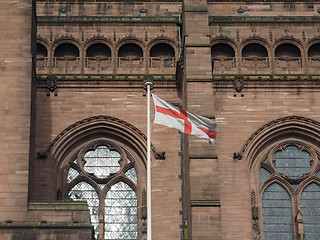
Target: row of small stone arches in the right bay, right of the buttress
x: 254, y: 56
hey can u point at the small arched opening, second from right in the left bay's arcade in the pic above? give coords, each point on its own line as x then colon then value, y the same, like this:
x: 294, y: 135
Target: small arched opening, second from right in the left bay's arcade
x: 130, y: 56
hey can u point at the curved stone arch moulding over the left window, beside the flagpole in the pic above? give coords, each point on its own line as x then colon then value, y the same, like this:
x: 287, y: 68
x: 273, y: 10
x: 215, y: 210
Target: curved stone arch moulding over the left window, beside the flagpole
x: 99, y: 126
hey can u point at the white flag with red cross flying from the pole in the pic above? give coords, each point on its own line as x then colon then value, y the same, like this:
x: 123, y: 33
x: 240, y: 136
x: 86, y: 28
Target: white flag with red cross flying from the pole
x: 171, y: 116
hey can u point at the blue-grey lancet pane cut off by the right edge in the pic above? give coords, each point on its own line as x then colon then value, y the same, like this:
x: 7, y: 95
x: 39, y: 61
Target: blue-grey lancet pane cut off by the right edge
x: 310, y: 210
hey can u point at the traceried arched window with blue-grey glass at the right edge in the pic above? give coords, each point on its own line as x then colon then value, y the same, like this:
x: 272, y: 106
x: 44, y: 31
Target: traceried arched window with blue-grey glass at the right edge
x: 290, y: 192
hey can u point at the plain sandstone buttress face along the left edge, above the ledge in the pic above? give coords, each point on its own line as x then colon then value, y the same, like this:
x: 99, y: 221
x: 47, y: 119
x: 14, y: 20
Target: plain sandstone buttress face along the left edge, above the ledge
x: 15, y: 94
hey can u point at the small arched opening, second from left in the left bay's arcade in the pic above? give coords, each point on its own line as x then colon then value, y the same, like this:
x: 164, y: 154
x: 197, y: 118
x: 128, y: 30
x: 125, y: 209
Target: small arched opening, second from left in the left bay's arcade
x: 66, y: 56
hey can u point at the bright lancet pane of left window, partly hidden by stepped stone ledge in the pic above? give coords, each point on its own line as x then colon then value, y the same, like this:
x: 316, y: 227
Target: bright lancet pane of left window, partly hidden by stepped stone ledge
x: 85, y: 192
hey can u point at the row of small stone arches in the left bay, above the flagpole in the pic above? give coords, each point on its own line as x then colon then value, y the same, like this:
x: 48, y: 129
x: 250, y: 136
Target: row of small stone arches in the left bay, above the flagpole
x: 102, y: 57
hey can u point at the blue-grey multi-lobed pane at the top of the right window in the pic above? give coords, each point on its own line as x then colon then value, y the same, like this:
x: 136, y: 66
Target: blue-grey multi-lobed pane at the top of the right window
x: 292, y: 162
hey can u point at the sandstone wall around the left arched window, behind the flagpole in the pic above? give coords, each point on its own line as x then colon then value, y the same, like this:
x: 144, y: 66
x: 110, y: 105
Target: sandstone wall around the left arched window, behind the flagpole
x: 55, y: 113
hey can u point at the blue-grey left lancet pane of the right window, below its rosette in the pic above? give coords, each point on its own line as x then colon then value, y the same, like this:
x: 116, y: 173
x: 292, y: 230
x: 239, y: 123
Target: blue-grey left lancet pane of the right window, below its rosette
x: 277, y: 213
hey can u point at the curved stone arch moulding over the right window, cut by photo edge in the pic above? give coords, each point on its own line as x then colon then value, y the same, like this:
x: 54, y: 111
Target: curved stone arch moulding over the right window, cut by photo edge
x: 288, y: 127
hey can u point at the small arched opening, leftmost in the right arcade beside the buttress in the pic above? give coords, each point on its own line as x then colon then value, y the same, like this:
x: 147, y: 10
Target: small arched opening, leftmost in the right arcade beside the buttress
x: 223, y: 58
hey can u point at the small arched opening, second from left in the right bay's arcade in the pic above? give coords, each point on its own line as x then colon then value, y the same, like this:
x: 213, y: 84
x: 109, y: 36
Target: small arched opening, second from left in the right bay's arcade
x: 255, y: 57
